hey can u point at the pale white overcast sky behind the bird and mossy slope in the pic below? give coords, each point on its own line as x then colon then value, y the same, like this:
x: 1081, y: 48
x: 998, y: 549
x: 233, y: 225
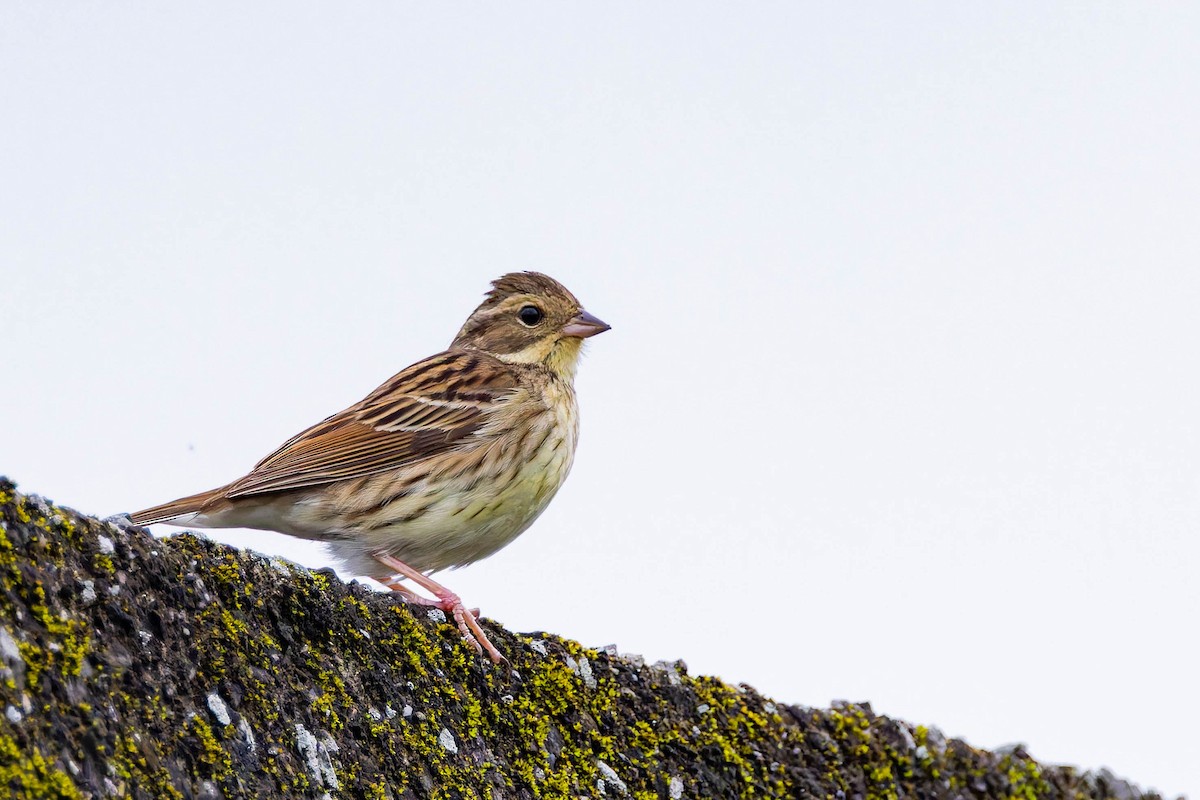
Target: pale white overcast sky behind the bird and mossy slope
x: 901, y: 399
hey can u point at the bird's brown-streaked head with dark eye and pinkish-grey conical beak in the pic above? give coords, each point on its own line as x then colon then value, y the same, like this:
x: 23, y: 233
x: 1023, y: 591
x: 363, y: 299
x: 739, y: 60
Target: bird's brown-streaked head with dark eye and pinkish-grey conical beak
x: 531, y: 318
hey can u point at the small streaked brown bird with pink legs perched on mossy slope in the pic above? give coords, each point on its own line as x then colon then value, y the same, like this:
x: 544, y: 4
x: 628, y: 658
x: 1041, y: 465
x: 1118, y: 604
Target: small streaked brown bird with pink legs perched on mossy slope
x: 440, y: 467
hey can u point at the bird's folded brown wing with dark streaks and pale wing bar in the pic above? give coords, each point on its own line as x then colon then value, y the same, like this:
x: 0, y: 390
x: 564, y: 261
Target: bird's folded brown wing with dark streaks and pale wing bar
x: 428, y: 410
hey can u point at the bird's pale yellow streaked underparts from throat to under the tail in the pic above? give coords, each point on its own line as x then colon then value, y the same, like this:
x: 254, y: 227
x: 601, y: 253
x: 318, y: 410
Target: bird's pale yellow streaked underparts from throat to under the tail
x: 465, y: 506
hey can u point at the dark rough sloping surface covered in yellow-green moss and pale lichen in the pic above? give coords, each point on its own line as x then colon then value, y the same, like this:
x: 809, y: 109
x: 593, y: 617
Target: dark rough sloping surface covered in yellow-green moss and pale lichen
x: 182, y: 669
